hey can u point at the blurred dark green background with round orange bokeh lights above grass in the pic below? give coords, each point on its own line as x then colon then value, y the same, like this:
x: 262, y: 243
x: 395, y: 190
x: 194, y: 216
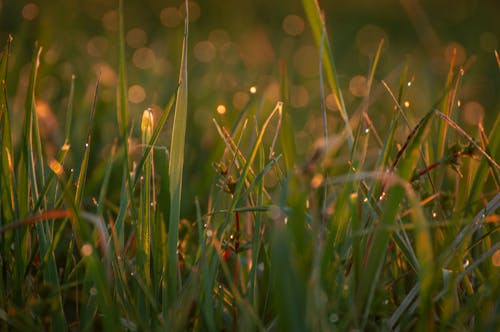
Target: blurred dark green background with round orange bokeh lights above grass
x: 235, y: 51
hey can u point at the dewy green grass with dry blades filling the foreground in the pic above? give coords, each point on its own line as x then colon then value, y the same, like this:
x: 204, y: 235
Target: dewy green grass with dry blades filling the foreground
x: 367, y: 232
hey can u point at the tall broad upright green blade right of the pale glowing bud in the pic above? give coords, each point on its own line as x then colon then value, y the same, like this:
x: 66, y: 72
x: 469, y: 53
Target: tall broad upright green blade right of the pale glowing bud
x: 175, y: 167
